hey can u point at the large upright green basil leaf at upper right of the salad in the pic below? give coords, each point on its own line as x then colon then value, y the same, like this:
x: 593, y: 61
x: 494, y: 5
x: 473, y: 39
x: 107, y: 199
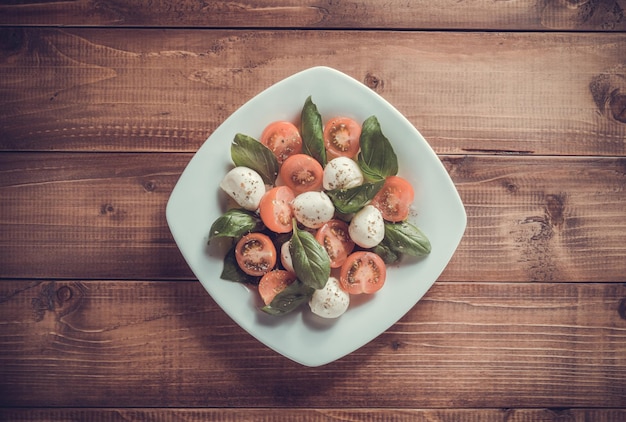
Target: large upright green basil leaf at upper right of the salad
x: 377, y: 158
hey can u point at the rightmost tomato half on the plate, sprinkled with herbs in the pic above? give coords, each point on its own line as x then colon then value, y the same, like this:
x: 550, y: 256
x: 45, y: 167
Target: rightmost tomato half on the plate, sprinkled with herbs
x: 394, y: 199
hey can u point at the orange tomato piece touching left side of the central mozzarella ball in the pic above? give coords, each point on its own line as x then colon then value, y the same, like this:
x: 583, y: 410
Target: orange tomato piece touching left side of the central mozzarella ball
x: 275, y: 209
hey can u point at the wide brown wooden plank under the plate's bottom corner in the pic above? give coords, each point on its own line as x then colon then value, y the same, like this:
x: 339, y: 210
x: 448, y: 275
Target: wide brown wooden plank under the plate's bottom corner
x: 465, y: 345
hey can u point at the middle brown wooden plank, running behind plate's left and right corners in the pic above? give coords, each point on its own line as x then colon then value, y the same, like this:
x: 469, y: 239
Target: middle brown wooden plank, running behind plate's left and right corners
x: 100, y: 215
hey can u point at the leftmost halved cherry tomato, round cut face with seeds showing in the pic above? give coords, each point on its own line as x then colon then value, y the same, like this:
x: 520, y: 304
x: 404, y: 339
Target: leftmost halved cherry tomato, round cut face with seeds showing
x: 256, y: 254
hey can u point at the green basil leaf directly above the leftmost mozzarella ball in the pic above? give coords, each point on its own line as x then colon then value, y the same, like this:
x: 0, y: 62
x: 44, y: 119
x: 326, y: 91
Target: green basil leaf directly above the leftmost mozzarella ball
x: 248, y: 152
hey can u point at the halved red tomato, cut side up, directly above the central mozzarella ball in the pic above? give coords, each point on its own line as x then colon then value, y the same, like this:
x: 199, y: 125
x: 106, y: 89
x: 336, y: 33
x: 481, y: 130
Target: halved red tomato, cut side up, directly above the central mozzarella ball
x: 302, y: 173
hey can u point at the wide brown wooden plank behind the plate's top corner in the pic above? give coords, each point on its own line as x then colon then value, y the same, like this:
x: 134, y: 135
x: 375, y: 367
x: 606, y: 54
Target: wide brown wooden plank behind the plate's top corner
x: 522, y: 93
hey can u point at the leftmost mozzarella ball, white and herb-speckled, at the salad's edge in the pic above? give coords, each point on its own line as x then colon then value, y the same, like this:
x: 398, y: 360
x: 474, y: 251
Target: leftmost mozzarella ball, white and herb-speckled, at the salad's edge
x: 245, y: 186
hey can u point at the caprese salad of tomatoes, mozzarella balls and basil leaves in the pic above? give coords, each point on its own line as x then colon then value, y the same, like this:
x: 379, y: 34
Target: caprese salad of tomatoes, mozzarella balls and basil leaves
x: 317, y: 213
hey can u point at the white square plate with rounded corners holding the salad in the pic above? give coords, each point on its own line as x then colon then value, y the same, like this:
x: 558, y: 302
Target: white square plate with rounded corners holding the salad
x: 196, y: 202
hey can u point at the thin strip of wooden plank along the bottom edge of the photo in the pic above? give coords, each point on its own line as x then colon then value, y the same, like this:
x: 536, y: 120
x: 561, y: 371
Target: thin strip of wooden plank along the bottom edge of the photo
x: 305, y: 415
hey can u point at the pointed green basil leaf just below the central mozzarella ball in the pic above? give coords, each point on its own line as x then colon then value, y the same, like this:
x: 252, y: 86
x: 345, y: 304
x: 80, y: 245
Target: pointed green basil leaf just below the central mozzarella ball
x: 310, y: 260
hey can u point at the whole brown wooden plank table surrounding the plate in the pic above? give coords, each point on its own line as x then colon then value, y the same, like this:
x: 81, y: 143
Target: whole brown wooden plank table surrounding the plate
x: 103, y: 105
